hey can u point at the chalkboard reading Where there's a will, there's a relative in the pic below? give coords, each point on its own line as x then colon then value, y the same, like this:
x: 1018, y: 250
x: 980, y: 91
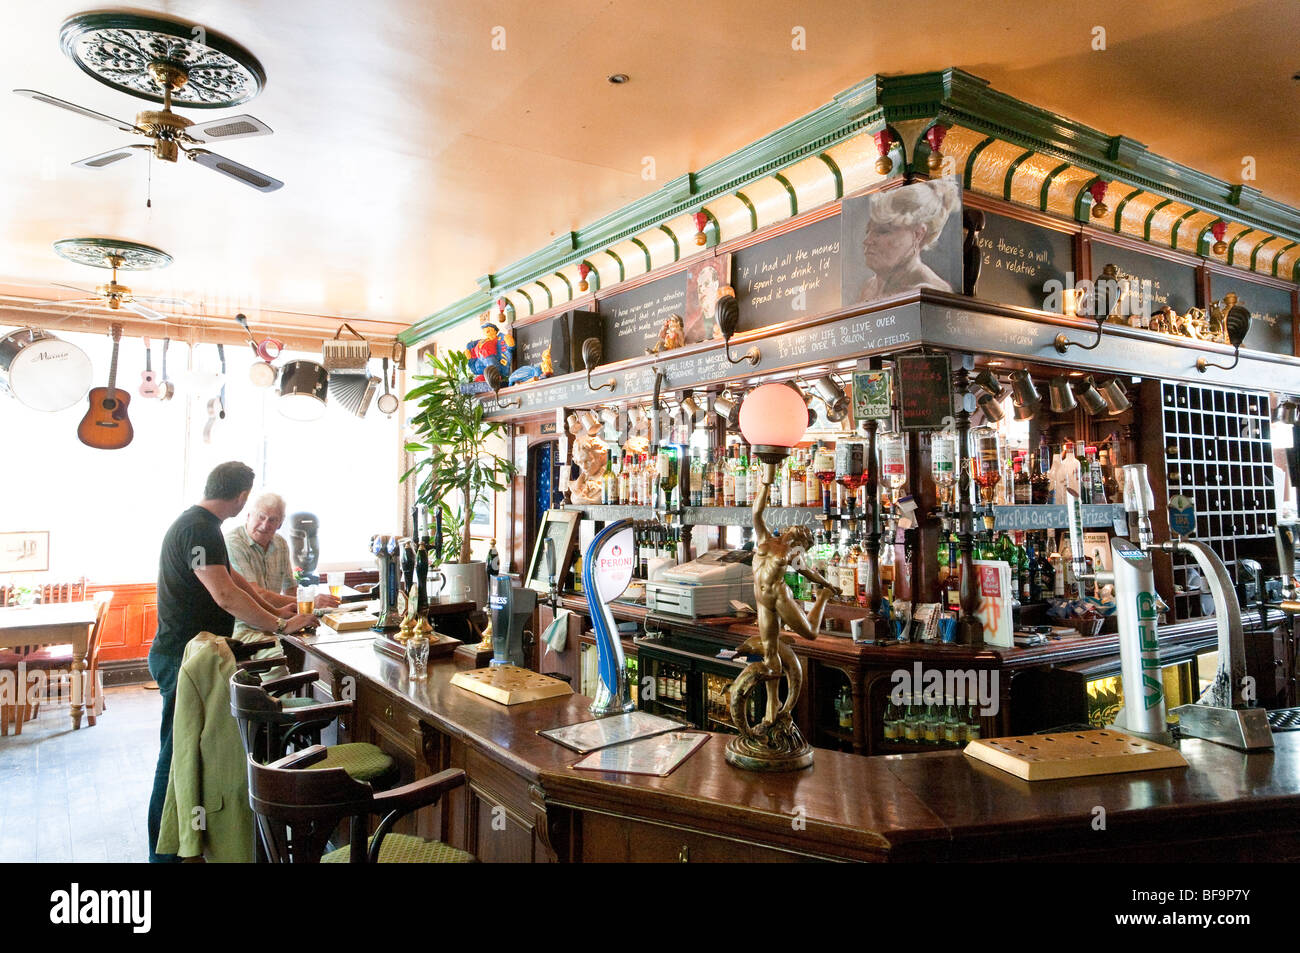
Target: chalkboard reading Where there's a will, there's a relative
x: 1019, y: 258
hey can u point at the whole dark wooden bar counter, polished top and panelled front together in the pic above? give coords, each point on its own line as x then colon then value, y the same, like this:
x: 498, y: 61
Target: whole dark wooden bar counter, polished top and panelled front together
x: 525, y: 803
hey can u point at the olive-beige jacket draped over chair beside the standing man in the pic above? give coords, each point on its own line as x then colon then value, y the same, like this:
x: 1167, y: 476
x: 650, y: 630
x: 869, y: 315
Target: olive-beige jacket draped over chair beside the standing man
x: 207, y: 811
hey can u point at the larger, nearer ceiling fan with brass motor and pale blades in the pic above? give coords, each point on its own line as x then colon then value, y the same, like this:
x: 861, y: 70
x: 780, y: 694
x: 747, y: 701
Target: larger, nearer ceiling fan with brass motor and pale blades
x: 171, y: 133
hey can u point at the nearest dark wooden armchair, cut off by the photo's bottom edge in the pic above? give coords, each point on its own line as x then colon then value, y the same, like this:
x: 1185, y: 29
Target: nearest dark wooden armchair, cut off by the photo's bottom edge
x: 297, y: 812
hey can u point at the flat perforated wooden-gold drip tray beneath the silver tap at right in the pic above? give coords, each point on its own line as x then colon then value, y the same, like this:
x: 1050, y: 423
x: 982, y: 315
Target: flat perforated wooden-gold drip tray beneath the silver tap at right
x: 1073, y: 755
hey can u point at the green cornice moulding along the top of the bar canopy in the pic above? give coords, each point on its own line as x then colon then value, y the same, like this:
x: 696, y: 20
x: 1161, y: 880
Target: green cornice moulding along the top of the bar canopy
x: 952, y: 97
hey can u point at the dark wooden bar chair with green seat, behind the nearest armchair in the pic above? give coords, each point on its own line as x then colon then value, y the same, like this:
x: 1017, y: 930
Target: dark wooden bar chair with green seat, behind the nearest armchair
x: 272, y: 721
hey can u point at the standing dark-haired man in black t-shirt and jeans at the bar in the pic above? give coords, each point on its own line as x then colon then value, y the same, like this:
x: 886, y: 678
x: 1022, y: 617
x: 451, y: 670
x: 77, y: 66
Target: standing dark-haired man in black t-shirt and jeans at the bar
x: 200, y: 592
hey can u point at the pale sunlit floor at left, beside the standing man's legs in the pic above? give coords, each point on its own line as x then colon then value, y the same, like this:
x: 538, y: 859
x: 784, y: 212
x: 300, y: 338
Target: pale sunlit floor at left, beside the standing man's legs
x: 75, y: 798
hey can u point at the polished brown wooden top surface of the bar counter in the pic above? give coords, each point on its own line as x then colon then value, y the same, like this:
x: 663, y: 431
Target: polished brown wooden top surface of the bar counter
x: 918, y: 807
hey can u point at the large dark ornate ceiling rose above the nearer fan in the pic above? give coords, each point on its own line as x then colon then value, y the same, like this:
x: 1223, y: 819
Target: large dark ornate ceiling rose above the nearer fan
x: 136, y: 54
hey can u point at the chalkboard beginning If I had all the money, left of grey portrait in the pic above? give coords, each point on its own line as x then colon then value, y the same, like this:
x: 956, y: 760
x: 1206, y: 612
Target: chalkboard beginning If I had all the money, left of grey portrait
x: 796, y: 275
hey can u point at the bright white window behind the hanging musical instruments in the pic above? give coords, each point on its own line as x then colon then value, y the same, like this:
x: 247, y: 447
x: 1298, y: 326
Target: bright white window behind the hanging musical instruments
x: 107, y: 512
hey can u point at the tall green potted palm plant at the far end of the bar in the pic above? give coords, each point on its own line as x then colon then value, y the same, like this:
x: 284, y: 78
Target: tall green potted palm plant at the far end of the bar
x: 456, y: 467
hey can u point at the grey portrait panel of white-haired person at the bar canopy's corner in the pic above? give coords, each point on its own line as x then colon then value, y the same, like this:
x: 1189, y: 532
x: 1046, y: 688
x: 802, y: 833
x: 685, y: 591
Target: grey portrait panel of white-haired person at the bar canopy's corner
x: 903, y: 240
